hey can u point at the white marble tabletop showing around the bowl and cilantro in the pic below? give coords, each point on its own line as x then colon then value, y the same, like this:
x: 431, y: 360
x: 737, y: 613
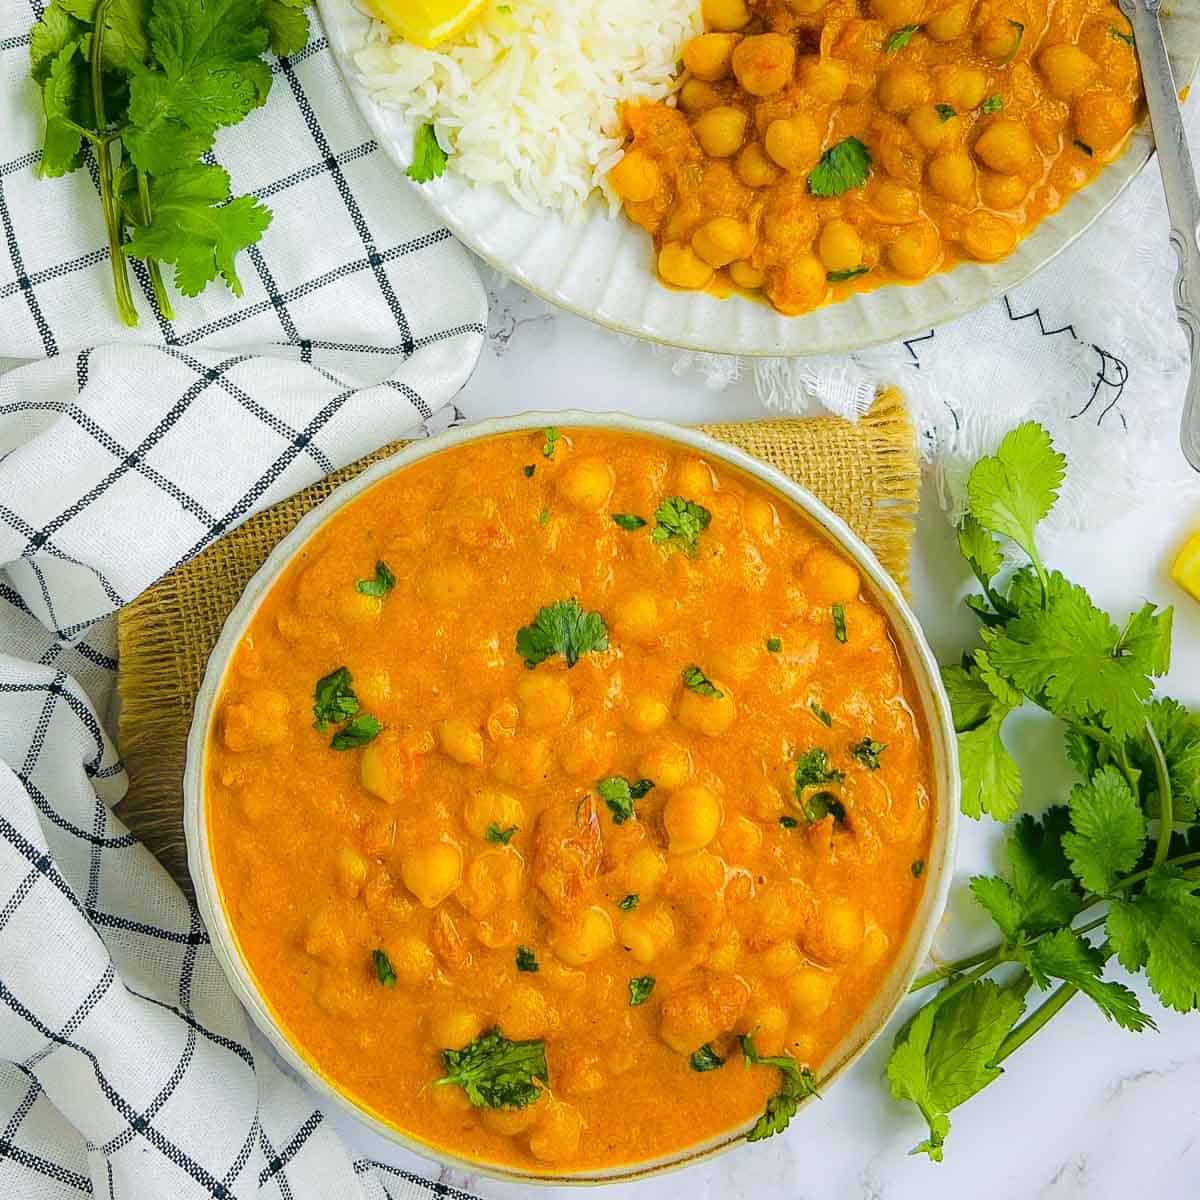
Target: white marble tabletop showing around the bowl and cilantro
x: 1085, y: 1109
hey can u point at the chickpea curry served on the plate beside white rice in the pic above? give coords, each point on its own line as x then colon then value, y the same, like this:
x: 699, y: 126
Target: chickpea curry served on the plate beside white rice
x: 818, y: 148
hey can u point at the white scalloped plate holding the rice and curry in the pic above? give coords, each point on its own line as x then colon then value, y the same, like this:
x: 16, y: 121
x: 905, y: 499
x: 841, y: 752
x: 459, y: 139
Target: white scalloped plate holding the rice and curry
x: 603, y: 268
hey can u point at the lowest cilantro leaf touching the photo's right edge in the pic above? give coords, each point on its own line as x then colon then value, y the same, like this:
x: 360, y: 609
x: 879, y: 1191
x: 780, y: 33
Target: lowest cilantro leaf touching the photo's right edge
x: 1160, y: 931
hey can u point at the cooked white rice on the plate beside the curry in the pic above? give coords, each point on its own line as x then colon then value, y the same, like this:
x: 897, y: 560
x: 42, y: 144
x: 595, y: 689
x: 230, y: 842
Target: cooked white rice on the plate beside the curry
x: 529, y: 98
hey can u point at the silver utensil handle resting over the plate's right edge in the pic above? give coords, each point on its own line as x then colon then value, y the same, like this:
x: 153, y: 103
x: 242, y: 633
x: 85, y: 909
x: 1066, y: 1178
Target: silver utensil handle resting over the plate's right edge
x: 1183, y: 197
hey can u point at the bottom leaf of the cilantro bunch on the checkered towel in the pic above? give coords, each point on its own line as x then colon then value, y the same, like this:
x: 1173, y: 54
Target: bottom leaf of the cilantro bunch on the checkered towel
x: 195, y: 230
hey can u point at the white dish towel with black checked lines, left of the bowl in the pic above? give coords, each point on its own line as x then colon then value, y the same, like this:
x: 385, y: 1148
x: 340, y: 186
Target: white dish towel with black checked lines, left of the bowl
x: 128, y: 1069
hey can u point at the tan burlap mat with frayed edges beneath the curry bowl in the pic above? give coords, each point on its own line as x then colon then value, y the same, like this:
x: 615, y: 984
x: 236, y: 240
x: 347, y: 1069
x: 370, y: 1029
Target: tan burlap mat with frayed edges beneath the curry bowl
x: 867, y: 473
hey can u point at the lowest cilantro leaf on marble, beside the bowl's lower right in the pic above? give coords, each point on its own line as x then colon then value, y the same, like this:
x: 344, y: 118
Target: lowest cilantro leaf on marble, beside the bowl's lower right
x: 945, y: 1055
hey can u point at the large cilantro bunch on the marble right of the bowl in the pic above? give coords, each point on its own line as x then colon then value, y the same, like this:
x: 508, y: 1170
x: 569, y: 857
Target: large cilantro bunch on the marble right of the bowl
x: 1112, y: 873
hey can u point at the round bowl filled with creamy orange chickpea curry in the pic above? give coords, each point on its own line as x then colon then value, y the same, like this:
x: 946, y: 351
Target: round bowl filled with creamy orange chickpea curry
x: 563, y: 772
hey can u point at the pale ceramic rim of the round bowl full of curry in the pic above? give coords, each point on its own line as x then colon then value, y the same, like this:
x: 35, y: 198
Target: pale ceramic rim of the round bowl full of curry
x: 905, y: 628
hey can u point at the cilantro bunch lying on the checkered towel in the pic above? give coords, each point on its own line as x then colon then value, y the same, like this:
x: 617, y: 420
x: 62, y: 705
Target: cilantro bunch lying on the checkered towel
x: 145, y: 86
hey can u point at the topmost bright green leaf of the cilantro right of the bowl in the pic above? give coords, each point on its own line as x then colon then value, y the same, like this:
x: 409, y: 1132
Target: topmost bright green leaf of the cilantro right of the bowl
x: 1011, y: 491
